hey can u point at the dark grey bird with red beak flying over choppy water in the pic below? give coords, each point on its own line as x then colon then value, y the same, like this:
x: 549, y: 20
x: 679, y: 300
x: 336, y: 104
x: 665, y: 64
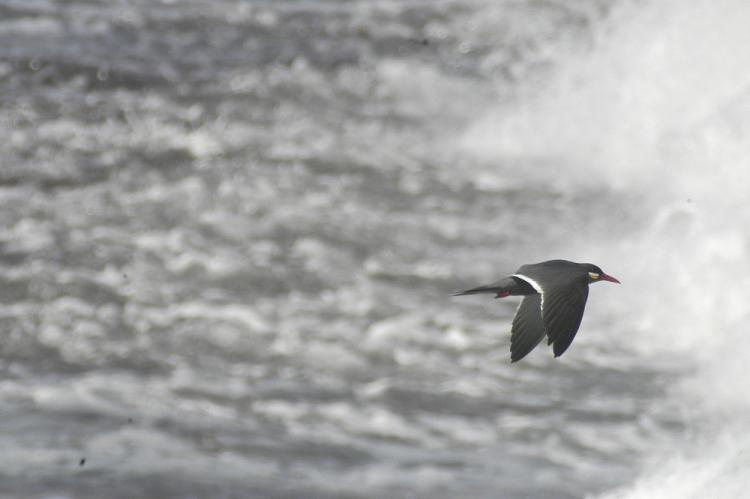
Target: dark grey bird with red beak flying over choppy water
x: 554, y: 297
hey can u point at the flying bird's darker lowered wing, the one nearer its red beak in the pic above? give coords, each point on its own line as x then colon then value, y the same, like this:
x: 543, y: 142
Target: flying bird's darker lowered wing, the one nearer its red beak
x: 562, y: 311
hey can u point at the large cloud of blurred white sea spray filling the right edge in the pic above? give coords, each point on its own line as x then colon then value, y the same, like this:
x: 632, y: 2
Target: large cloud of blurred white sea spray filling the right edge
x: 659, y: 110
